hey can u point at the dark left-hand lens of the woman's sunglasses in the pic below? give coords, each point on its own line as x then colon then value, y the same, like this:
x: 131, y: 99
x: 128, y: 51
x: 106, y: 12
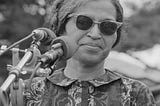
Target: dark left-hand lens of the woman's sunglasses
x: 84, y: 22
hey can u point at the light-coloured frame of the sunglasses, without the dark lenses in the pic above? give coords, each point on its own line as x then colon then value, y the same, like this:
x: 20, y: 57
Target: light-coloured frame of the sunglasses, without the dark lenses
x: 119, y: 24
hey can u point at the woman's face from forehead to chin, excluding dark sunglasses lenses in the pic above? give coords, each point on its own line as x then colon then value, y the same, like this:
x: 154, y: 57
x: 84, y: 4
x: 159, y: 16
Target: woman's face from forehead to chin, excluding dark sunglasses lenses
x: 94, y: 45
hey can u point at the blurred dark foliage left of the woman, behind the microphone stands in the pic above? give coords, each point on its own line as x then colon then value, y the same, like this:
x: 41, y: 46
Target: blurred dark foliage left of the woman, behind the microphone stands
x: 17, y: 20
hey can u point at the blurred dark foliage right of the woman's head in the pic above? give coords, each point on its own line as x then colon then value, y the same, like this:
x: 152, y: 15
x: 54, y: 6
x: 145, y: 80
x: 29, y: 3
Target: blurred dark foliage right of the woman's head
x: 143, y: 29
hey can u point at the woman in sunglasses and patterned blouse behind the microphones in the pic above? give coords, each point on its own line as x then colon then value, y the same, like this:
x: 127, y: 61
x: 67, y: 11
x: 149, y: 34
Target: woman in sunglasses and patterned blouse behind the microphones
x: 95, y: 26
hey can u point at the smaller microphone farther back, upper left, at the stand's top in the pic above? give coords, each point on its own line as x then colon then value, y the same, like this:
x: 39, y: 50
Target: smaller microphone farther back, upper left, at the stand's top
x: 44, y: 35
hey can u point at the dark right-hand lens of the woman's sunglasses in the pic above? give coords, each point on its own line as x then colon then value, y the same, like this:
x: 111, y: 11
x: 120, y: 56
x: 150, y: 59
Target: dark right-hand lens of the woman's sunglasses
x: 108, y: 28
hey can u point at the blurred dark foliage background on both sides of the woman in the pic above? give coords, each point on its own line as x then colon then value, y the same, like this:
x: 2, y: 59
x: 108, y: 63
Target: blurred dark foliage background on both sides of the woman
x: 19, y: 18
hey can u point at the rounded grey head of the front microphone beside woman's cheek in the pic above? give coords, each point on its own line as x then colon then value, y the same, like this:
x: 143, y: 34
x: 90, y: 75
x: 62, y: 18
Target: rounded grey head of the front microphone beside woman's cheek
x: 69, y: 46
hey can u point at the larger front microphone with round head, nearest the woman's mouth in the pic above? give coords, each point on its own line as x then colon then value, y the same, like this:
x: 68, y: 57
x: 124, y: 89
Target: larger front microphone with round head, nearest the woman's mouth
x: 62, y: 48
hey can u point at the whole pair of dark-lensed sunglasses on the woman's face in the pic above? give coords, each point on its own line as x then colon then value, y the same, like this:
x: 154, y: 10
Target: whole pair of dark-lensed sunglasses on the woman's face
x: 106, y: 27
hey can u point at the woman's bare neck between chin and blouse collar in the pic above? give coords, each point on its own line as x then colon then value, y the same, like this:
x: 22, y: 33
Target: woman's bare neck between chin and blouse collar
x: 76, y: 70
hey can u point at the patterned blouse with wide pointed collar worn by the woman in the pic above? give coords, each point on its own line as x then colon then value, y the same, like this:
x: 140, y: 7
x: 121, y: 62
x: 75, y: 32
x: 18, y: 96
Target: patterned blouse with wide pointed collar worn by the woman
x: 109, y: 89
